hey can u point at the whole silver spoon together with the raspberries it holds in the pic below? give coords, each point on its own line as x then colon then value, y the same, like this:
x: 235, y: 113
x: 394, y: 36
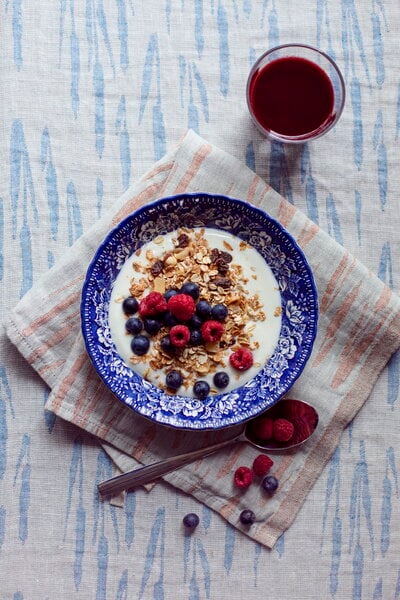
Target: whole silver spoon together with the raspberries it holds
x: 302, y: 415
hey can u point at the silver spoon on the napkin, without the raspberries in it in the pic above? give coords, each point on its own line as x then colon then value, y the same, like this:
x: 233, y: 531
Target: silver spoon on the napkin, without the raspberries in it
x: 149, y: 473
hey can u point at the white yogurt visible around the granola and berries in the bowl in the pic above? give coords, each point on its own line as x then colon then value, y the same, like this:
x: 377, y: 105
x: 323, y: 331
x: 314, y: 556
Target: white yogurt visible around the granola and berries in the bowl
x: 261, y: 281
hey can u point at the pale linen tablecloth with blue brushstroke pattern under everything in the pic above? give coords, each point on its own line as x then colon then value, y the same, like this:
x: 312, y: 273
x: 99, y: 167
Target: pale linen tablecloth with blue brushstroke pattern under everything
x: 91, y: 95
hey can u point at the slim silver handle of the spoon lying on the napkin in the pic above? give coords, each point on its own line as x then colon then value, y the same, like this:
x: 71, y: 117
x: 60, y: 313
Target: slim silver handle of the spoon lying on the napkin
x: 151, y: 472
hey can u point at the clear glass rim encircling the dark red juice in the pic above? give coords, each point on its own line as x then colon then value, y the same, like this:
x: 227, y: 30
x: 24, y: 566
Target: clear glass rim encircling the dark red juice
x: 310, y: 135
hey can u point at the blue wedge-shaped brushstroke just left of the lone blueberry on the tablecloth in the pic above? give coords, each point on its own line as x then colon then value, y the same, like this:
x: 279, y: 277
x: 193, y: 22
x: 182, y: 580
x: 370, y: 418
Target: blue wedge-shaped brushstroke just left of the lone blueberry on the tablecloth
x: 157, y: 537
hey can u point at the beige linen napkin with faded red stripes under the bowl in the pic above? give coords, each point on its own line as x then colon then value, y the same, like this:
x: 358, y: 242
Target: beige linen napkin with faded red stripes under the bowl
x: 358, y: 331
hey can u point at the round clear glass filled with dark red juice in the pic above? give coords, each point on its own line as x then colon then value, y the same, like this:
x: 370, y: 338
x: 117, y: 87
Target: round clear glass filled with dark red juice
x: 292, y: 98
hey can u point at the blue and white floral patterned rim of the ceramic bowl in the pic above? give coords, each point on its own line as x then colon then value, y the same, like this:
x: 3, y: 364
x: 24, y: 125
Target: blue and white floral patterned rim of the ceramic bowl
x: 298, y: 299
